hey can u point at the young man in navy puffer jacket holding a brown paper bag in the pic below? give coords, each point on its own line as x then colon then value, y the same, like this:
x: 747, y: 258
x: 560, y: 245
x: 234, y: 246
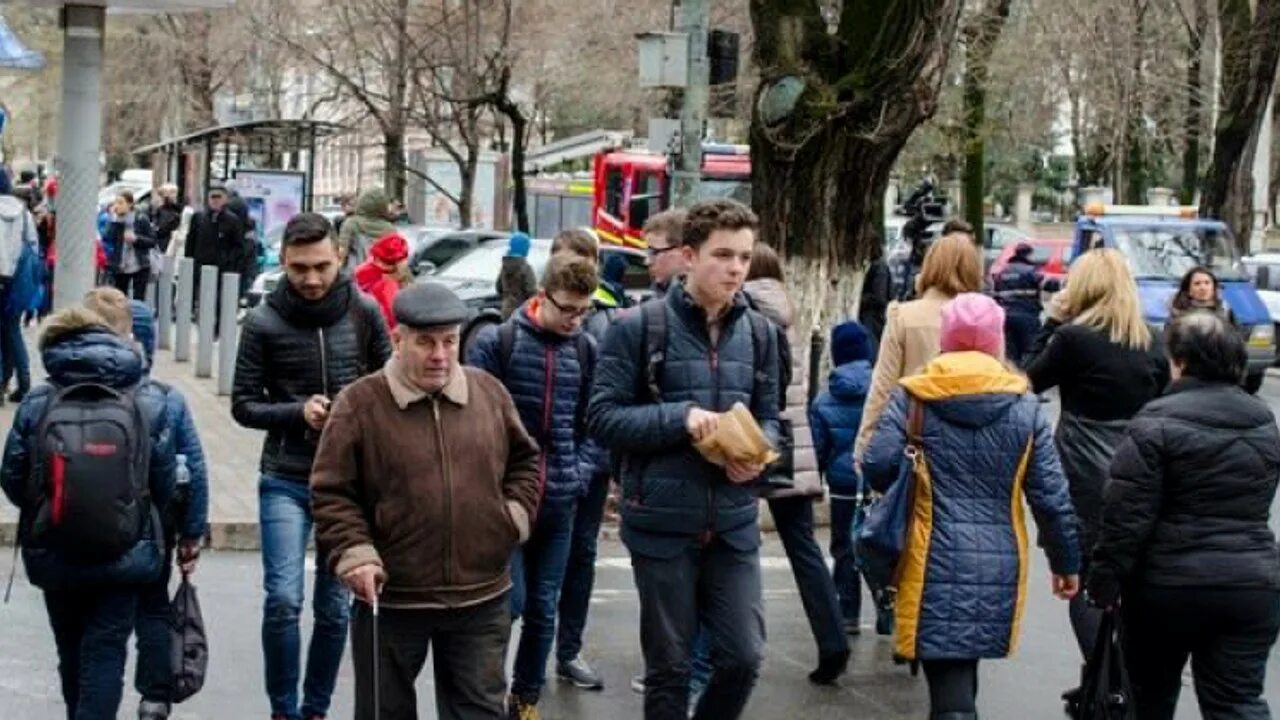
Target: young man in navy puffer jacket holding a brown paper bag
x: 666, y: 375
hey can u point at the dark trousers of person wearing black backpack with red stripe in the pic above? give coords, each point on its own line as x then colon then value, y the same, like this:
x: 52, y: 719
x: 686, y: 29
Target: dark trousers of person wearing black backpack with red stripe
x: 93, y: 628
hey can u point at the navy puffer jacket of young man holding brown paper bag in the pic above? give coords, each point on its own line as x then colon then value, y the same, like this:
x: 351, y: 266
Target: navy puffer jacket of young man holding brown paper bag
x: 671, y: 494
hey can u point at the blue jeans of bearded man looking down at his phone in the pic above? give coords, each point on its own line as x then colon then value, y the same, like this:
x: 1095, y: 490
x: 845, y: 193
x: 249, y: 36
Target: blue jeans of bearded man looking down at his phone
x: 285, y: 512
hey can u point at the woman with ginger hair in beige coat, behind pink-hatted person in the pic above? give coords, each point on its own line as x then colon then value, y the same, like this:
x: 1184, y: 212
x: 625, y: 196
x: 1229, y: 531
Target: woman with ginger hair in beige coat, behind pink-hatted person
x: 913, y: 330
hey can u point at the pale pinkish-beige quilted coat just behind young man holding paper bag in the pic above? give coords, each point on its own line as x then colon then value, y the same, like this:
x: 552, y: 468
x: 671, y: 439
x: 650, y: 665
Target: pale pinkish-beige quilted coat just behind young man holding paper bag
x: 770, y: 298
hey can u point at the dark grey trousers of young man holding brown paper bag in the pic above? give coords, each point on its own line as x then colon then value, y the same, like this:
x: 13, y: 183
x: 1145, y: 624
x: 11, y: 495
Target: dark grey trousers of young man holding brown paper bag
x: 720, y: 587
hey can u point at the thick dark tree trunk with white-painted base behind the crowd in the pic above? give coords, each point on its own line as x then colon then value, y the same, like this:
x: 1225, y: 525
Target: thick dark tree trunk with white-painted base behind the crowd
x: 831, y: 115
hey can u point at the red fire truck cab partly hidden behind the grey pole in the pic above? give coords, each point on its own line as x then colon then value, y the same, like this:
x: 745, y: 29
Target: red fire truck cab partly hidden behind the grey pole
x: 633, y: 185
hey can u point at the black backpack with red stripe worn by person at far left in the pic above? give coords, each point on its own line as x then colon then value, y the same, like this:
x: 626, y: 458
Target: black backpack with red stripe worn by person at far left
x: 92, y: 467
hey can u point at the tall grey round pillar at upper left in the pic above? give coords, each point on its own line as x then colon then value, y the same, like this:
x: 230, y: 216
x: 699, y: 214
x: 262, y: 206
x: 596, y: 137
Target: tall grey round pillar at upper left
x: 80, y: 147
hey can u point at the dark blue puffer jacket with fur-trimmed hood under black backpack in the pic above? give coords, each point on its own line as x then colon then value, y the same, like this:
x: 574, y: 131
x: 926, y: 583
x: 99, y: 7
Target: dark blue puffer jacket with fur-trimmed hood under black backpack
x: 76, y: 350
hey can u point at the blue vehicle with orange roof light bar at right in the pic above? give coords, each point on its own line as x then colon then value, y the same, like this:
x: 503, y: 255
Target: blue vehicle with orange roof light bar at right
x: 1162, y: 245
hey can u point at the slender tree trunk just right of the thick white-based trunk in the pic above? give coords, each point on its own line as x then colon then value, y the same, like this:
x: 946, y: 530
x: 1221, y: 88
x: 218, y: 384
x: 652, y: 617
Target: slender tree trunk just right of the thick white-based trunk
x: 981, y: 37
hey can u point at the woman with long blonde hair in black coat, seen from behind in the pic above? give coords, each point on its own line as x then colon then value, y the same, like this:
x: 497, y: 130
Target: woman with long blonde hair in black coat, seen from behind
x: 1103, y: 358
